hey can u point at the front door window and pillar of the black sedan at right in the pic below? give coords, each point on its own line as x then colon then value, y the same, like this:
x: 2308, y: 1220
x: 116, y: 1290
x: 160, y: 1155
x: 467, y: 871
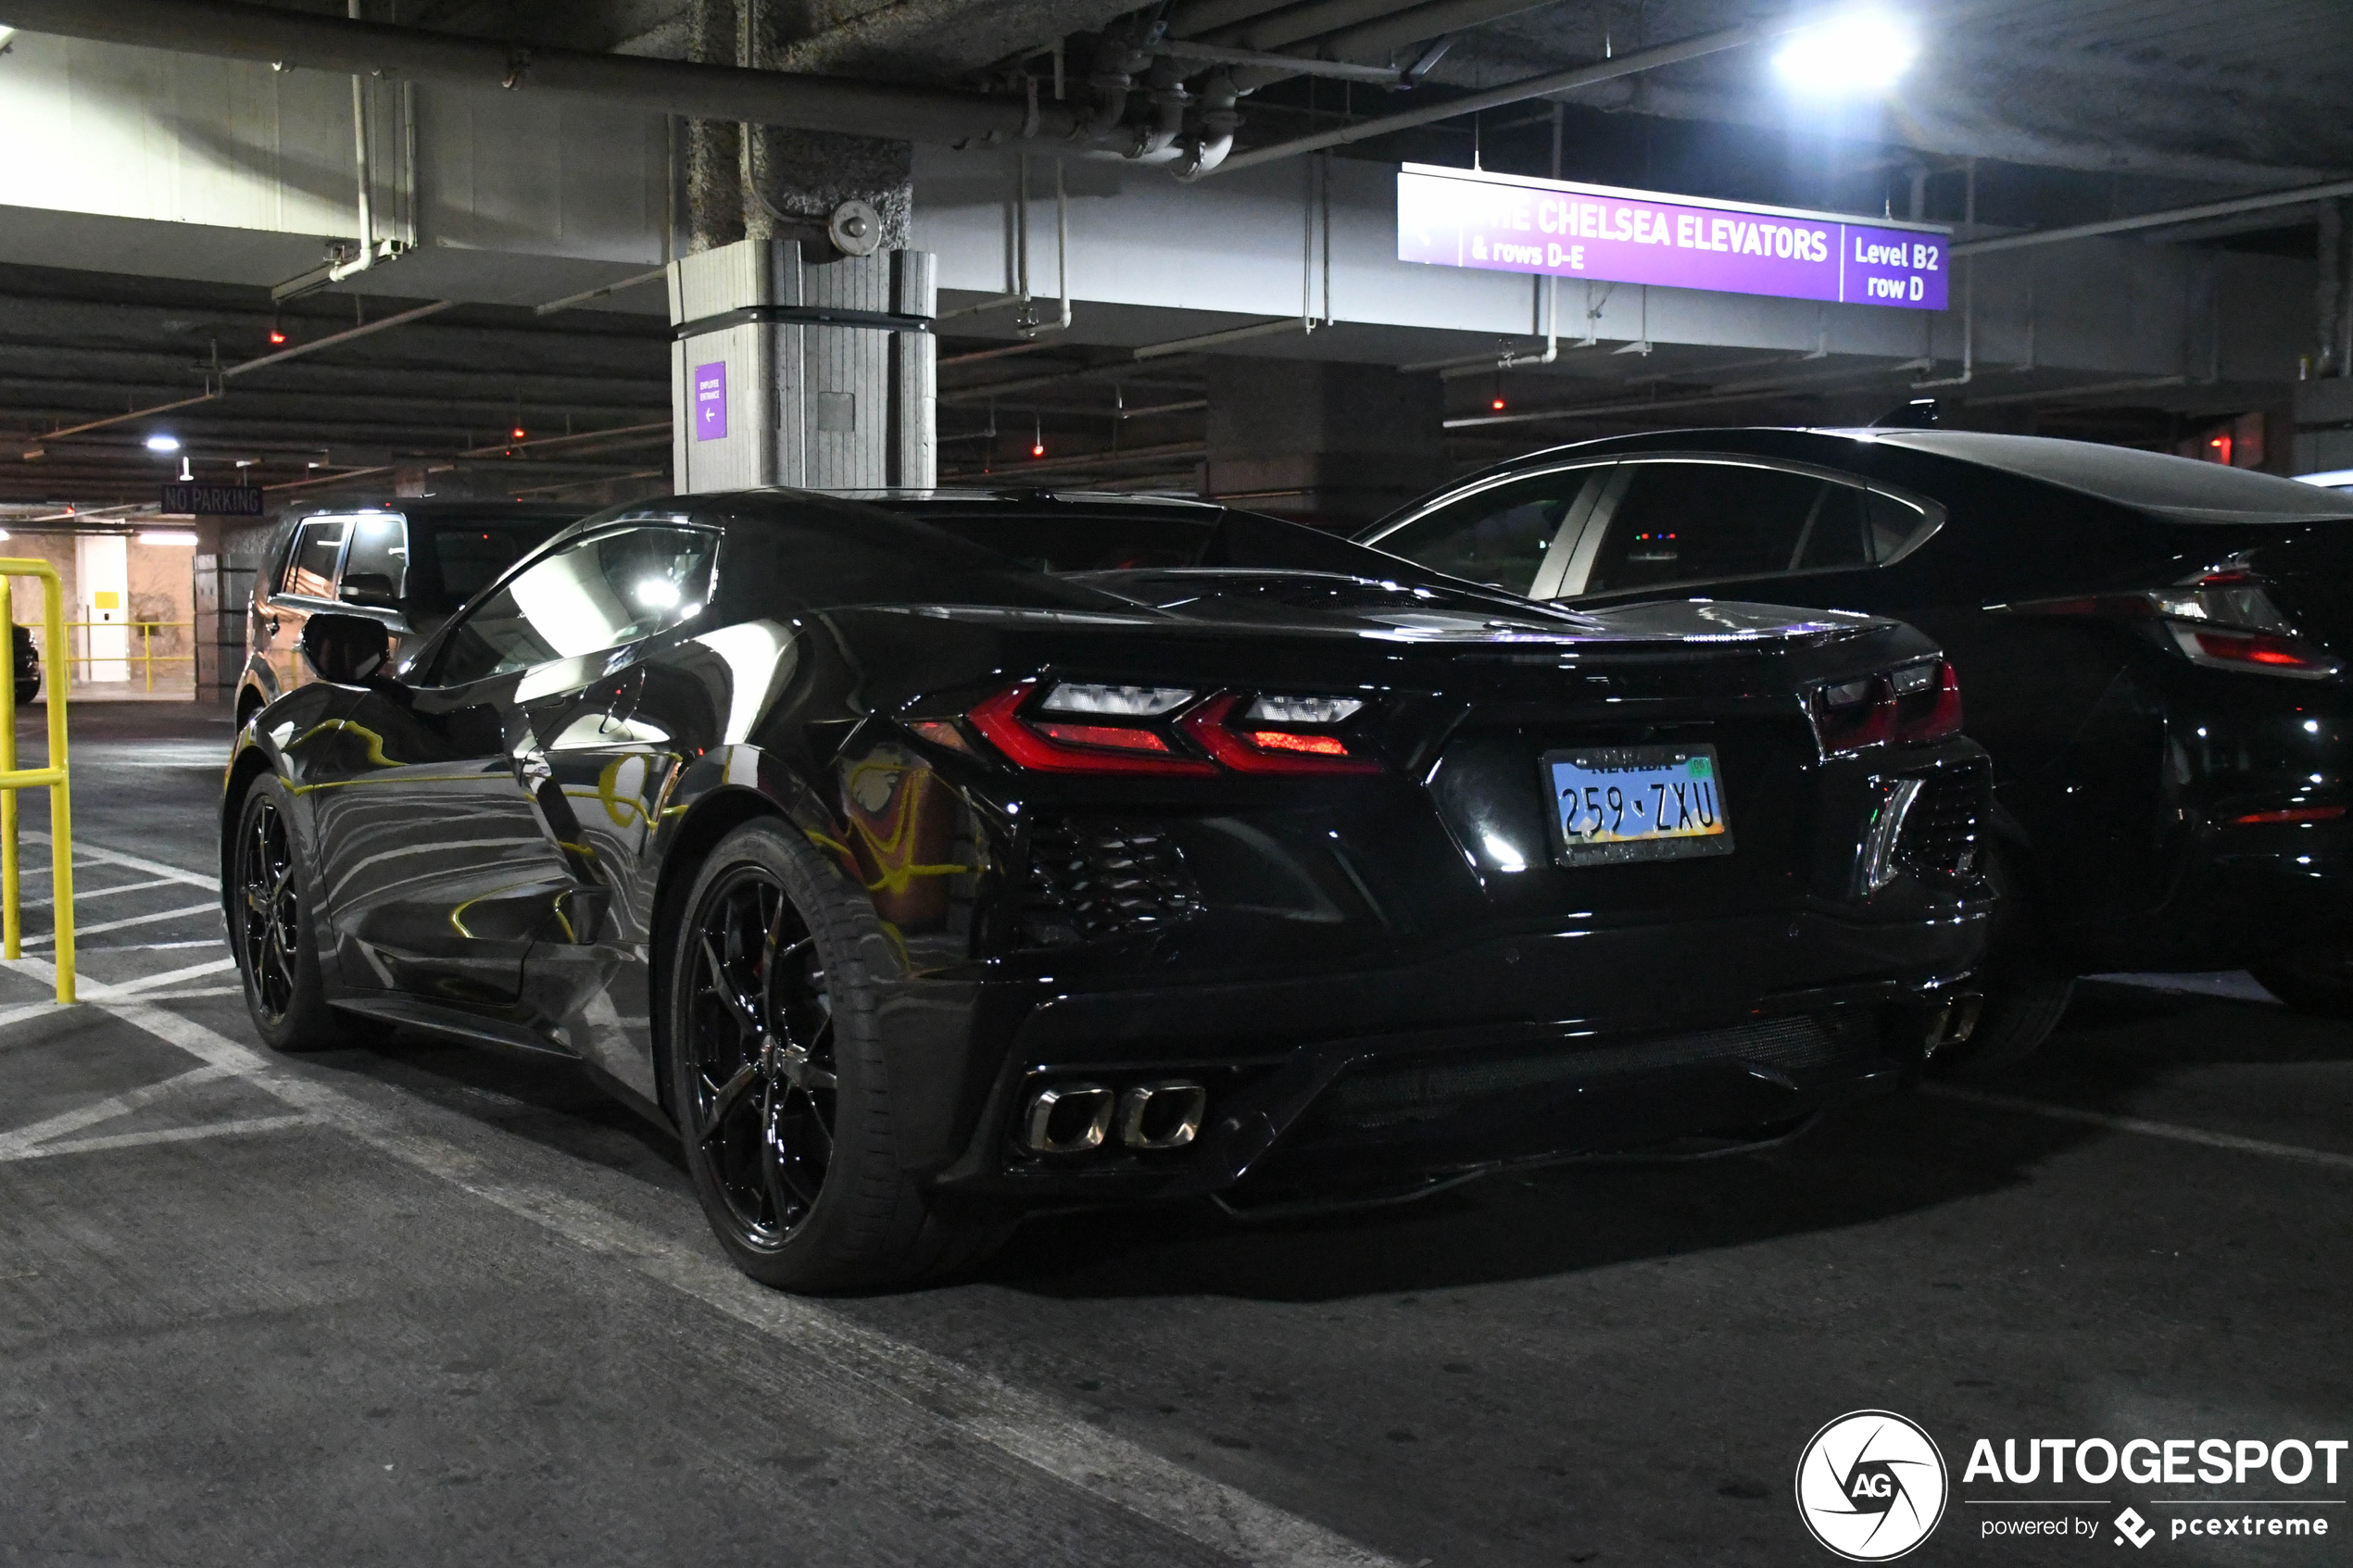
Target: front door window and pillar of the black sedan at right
x: 1512, y: 532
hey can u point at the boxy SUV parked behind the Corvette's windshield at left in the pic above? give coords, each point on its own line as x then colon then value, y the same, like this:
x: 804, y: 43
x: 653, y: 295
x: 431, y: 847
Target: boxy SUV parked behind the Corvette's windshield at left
x: 408, y: 568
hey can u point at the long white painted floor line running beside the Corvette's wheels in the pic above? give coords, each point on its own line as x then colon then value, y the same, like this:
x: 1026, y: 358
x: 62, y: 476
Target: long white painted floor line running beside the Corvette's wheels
x: 975, y: 1405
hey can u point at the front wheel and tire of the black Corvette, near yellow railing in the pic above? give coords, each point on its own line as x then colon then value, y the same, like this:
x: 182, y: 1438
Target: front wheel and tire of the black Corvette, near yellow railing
x: 272, y: 927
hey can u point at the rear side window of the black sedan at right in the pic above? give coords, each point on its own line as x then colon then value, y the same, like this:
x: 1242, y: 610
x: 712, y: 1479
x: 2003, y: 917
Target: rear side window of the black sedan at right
x: 1684, y: 523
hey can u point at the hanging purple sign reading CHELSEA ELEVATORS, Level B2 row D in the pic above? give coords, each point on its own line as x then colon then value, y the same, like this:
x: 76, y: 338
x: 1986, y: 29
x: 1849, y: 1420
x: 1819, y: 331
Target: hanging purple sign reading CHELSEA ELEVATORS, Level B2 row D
x: 1509, y: 225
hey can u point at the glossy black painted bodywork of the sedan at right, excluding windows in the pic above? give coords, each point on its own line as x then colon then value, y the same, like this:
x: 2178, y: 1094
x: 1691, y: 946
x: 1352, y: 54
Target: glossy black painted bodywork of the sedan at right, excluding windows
x: 2117, y: 760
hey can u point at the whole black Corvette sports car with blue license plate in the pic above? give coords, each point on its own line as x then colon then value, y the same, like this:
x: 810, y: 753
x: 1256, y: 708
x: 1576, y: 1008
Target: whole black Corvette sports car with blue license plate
x: 924, y: 883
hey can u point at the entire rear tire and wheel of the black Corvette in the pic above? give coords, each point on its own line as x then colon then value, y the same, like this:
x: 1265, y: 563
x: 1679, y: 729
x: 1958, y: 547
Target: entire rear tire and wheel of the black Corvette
x: 780, y: 1083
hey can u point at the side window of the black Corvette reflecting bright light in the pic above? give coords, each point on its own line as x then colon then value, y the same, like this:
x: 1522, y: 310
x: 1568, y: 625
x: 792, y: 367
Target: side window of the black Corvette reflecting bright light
x: 594, y: 594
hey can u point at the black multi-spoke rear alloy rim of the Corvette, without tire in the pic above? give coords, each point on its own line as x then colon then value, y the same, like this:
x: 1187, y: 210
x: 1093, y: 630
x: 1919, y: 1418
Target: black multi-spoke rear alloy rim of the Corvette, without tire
x: 761, y: 1057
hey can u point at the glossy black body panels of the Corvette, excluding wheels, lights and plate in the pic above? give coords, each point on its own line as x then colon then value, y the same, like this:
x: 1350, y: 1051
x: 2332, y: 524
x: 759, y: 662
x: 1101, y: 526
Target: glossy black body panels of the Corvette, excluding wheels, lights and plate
x: 505, y: 859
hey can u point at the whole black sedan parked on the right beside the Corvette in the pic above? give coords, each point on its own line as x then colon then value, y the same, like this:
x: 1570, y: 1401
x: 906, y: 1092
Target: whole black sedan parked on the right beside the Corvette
x: 2154, y: 652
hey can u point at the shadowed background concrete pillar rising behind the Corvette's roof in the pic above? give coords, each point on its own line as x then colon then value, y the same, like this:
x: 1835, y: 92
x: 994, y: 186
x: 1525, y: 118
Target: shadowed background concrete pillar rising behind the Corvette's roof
x: 1335, y: 445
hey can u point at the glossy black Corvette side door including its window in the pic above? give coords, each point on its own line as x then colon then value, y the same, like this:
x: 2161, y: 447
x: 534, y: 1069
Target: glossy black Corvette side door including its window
x: 446, y: 850
